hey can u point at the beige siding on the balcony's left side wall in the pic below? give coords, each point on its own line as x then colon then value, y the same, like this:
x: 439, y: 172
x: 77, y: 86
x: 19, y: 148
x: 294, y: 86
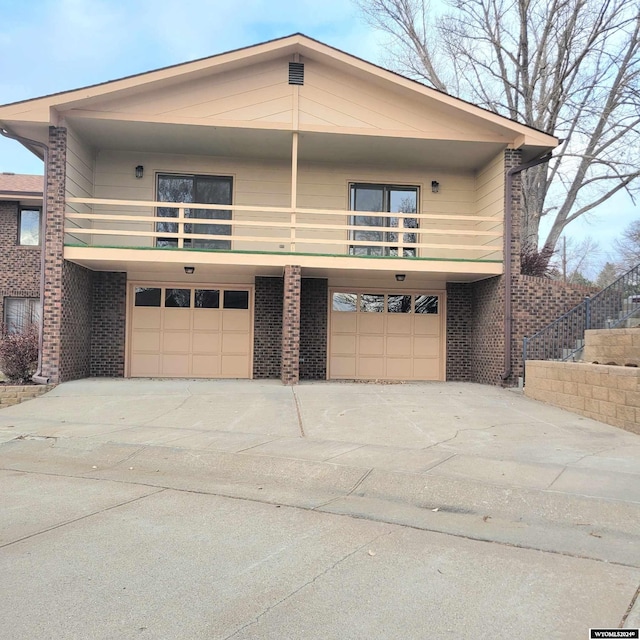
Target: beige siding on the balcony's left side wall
x: 79, y: 181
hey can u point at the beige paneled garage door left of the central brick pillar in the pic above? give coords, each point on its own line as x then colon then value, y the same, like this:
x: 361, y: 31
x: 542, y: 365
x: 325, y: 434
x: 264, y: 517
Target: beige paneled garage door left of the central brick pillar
x: 199, y: 332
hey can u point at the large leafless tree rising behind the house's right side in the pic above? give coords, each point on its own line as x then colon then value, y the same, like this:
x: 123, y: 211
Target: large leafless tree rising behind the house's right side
x: 570, y: 68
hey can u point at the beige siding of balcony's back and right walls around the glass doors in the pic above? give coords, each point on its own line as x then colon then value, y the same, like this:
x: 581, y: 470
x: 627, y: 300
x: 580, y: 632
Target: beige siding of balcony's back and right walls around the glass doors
x: 320, y: 186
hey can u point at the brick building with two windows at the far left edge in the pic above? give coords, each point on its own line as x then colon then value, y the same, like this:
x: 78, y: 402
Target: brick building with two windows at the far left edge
x: 20, y: 211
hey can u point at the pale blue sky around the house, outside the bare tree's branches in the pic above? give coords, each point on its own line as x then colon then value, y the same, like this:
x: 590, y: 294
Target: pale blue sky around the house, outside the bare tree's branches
x: 54, y: 45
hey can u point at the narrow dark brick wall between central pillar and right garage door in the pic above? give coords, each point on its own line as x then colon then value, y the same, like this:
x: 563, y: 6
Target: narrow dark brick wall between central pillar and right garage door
x: 313, y: 329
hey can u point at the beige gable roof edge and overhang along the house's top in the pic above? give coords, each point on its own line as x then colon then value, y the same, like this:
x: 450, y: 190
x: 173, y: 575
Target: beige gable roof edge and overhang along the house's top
x: 39, y: 109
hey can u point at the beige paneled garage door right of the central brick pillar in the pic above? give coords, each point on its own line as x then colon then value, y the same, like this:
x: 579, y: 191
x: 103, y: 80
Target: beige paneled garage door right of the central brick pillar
x: 386, y: 336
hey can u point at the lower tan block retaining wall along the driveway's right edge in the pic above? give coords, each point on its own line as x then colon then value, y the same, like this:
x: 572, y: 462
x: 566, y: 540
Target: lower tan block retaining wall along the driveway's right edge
x: 609, y: 394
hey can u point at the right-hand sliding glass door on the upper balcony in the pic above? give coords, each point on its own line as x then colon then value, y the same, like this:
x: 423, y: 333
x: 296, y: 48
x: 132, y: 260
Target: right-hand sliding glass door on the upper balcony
x: 386, y: 199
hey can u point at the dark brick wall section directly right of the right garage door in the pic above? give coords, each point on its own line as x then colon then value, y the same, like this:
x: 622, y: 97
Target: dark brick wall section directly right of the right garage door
x: 459, y: 329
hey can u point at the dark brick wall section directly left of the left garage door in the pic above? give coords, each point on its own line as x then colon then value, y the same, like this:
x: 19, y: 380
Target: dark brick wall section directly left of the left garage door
x: 108, y: 324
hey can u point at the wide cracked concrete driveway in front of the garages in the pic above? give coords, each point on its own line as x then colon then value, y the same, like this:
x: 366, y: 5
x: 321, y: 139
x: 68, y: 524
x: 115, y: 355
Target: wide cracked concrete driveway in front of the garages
x: 135, y: 484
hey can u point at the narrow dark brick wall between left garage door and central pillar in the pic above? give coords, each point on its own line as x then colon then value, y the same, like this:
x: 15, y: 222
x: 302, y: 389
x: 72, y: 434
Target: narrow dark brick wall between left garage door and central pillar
x: 267, y: 345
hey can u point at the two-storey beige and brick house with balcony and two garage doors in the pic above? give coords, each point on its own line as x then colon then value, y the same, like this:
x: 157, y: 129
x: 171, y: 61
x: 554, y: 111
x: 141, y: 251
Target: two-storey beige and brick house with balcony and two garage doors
x: 304, y: 163
